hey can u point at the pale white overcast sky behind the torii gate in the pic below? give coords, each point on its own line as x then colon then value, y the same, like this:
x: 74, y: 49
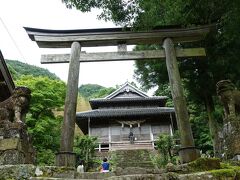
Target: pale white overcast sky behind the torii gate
x: 52, y: 14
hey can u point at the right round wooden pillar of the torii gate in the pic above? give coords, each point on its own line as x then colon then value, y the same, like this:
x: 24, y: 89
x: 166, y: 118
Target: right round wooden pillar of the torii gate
x: 188, y: 152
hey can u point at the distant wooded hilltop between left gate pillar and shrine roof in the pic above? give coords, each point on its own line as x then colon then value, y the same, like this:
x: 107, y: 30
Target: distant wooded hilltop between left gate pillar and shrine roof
x: 94, y: 91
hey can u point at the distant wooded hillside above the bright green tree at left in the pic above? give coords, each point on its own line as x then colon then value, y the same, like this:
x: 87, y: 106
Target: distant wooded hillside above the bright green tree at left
x: 18, y: 69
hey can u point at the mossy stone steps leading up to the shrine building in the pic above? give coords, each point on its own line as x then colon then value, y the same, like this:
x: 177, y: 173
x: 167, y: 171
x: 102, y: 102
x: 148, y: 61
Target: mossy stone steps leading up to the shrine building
x: 132, y: 158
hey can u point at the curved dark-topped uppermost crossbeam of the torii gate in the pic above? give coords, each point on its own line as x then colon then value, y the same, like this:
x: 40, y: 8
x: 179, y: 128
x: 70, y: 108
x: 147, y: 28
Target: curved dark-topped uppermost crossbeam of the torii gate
x: 46, y: 38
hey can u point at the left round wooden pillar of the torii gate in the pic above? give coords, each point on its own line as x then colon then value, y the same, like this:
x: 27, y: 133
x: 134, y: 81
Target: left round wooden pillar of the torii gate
x: 66, y: 157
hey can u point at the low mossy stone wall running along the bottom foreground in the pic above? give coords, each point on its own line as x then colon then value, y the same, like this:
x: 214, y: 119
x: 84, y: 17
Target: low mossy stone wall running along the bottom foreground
x: 202, y: 168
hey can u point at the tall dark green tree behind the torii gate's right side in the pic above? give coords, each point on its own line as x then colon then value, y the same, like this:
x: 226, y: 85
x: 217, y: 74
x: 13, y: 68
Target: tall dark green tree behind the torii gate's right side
x: 199, y: 77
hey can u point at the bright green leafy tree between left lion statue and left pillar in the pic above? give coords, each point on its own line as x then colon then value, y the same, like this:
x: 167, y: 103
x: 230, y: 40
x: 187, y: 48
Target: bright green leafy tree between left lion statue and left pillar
x: 43, y: 126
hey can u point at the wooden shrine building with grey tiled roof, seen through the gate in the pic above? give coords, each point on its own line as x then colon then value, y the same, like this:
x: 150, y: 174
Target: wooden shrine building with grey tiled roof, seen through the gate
x: 127, y: 109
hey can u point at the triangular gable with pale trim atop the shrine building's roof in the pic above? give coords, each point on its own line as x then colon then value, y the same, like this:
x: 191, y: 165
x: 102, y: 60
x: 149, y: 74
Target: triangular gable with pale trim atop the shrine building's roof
x: 126, y: 91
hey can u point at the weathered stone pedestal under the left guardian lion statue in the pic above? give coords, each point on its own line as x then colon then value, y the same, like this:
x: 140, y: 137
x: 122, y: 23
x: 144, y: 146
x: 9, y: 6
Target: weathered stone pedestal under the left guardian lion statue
x: 15, y: 144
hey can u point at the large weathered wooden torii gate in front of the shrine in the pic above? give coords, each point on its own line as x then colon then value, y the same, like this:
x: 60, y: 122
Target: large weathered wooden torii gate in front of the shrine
x: 120, y: 37
